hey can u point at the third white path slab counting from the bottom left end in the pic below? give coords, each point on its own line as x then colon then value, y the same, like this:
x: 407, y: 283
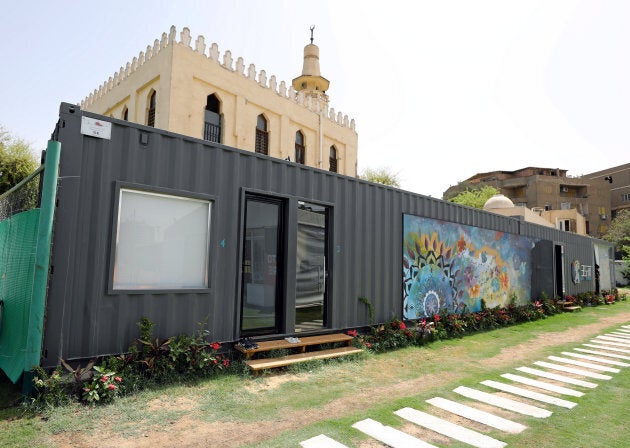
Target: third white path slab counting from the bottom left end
x: 449, y: 429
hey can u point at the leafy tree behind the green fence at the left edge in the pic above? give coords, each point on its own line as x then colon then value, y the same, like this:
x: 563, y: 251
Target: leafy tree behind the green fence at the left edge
x: 16, y: 160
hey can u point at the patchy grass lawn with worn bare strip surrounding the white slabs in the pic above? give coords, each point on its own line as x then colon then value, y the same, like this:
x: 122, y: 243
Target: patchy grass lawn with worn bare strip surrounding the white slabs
x: 282, y: 409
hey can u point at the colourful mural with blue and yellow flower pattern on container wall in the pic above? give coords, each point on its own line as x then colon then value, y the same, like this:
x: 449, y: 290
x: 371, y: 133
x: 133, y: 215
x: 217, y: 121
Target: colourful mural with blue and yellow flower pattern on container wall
x: 449, y: 266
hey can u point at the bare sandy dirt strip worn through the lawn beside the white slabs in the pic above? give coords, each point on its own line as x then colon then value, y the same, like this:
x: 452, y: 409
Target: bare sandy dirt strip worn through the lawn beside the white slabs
x: 190, y: 432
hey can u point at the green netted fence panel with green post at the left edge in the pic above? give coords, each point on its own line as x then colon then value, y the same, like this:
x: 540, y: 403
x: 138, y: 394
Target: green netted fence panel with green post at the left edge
x: 26, y: 216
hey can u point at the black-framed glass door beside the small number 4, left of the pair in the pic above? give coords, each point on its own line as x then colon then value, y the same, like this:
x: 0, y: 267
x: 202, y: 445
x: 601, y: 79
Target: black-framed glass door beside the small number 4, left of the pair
x: 261, y: 278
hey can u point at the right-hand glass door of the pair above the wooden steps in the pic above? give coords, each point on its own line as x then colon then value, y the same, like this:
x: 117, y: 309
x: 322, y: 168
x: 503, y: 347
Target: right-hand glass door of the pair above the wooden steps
x: 311, y: 268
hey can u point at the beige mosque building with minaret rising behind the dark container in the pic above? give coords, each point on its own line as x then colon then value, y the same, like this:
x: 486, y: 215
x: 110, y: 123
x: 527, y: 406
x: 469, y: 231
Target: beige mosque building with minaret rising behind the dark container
x: 195, y: 91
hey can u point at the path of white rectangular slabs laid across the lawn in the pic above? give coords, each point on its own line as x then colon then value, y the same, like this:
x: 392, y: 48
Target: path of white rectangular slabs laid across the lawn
x: 612, y: 349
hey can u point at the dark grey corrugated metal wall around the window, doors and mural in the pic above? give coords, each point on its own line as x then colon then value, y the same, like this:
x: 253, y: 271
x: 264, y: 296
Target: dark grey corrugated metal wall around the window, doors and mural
x: 85, y: 320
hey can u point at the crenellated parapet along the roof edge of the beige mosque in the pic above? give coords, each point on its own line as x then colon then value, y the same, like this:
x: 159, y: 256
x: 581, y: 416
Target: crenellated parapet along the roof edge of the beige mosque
x: 226, y: 61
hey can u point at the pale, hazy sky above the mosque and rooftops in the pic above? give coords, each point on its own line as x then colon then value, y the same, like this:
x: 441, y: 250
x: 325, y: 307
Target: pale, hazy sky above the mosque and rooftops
x: 439, y: 90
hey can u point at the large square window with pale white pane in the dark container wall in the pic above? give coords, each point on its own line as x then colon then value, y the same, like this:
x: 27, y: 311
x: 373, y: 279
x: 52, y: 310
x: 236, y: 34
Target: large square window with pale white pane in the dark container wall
x: 162, y: 242
